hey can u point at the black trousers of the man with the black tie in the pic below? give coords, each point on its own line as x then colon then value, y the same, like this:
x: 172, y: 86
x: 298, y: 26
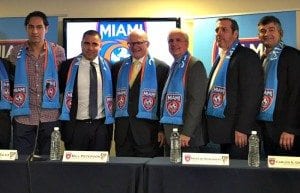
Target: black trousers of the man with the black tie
x: 87, y: 135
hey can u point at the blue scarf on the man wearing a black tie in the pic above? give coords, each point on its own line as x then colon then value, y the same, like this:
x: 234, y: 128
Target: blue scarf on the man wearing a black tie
x: 107, y: 90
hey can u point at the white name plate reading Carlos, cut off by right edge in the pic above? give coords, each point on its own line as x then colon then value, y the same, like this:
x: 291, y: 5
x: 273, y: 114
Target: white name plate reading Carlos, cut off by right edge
x: 283, y: 162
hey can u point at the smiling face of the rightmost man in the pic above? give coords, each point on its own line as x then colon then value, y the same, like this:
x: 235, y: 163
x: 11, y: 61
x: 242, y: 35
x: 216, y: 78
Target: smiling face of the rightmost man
x: 269, y: 34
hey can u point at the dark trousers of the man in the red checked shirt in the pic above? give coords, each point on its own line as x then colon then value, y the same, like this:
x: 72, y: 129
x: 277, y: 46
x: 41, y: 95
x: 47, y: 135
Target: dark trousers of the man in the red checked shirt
x: 24, y: 137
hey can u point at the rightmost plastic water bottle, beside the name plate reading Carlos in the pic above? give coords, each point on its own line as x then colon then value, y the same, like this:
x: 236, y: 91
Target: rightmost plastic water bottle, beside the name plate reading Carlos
x: 253, y: 154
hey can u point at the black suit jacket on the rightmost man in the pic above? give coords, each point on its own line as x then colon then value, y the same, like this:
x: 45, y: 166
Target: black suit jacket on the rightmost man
x: 286, y: 117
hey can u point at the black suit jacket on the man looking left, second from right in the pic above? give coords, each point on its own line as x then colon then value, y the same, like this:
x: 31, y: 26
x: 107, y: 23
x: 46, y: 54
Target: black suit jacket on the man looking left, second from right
x: 244, y: 91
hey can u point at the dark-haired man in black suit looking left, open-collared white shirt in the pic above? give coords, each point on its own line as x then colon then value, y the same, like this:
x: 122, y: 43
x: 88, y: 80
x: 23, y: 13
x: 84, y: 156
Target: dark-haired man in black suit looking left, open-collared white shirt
x: 234, y: 93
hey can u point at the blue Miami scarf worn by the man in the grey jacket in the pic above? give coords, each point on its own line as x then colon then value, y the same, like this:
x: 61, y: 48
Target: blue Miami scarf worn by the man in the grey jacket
x: 173, y: 93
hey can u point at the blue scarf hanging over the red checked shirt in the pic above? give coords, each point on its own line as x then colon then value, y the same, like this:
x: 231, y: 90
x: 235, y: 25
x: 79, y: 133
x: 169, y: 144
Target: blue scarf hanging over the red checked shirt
x: 20, y: 105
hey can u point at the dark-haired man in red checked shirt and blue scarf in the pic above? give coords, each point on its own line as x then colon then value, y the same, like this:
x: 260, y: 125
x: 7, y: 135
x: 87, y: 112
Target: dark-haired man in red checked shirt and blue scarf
x: 35, y: 107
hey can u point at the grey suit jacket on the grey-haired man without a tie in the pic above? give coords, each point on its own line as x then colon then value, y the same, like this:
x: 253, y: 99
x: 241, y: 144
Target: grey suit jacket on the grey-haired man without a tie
x: 194, y: 100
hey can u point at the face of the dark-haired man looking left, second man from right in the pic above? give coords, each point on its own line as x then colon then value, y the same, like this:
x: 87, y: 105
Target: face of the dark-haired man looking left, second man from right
x: 224, y: 34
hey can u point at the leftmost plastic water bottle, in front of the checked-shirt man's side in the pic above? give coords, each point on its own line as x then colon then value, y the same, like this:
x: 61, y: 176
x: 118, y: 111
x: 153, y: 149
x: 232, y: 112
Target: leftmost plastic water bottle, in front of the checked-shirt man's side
x: 55, y: 149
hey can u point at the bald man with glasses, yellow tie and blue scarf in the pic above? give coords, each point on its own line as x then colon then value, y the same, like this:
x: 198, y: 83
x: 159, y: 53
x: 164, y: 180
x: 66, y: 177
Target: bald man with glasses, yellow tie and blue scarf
x: 139, y: 81
